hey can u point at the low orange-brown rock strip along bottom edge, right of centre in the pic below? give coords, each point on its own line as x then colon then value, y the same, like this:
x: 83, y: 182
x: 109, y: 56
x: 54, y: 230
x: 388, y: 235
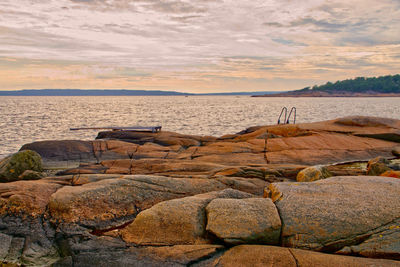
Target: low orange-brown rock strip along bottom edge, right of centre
x: 256, y: 255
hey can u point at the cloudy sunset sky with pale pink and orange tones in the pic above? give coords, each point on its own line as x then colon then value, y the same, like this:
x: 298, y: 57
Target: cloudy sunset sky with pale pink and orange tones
x: 200, y: 46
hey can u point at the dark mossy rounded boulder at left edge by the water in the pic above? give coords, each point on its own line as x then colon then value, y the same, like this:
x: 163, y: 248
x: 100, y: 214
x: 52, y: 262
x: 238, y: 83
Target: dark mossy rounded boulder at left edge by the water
x: 13, y: 166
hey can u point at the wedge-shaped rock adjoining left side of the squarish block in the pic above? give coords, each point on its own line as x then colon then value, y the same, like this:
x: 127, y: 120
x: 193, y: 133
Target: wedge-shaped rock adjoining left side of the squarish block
x: 178, y: 221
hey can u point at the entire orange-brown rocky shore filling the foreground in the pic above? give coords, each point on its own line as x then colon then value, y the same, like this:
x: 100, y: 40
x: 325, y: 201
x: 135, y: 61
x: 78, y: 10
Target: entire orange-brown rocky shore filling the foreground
x: 315, y: 194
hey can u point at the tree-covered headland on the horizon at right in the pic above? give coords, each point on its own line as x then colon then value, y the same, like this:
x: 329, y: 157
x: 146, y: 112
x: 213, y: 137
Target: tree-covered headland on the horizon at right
x: 383, y: 86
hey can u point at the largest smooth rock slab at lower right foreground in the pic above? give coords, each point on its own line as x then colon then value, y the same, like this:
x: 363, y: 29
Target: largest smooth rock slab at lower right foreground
x: 329, y: 214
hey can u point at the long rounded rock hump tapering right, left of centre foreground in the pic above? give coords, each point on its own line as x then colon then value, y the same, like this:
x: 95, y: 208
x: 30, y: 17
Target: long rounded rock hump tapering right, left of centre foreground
x: 111, y: 202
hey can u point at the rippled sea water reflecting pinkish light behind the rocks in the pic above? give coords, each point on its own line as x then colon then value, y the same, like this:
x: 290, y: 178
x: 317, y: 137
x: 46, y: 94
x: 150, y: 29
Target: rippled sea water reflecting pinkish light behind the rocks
x: 28, y: 119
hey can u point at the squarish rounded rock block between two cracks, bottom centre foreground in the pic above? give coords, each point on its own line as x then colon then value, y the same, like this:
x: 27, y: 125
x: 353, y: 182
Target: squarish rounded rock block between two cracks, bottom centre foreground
x: 236, y: 221
